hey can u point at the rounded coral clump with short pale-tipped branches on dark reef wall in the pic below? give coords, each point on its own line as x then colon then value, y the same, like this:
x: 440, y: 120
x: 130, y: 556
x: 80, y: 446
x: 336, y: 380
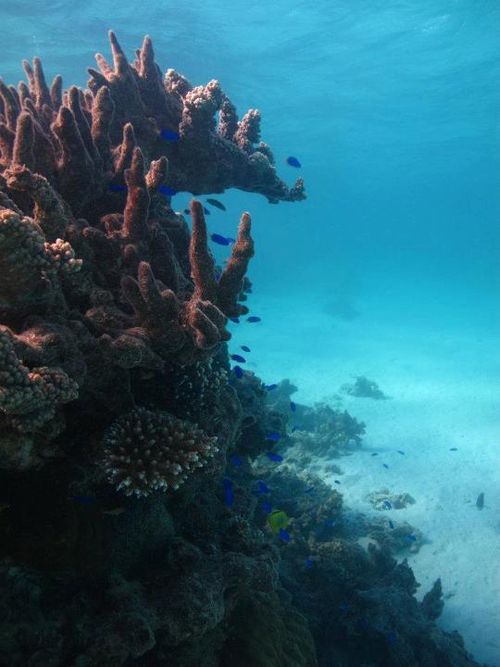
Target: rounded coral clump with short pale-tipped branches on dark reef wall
x: 146, y: 451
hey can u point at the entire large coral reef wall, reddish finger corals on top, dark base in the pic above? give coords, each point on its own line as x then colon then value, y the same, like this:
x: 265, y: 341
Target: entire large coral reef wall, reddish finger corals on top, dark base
x: 151, y: 510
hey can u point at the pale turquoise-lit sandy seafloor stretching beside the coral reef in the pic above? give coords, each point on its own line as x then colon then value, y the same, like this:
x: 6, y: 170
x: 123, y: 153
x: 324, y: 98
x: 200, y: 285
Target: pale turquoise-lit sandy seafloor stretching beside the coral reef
x: 441, y: 372
